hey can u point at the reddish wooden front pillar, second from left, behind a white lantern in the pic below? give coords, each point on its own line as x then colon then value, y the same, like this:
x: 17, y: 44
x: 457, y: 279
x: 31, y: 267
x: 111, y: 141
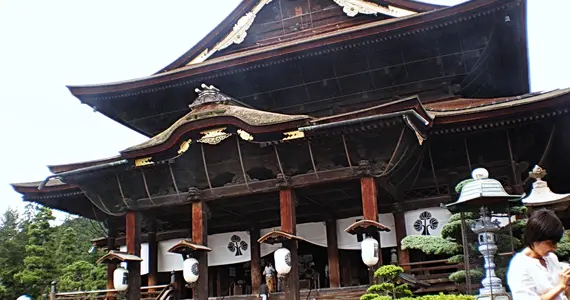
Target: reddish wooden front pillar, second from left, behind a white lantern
x: 200, y: 236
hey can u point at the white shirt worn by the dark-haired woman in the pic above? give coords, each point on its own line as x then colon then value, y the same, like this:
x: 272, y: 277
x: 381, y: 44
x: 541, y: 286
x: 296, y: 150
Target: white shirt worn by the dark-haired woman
x: 528, y: 279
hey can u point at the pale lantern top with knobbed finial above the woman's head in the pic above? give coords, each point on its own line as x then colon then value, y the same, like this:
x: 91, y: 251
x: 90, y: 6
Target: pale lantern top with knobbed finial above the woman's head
x: 541, y: 195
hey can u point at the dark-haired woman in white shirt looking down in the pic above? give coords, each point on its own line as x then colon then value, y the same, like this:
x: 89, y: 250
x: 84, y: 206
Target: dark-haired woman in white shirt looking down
x: 535, y: 272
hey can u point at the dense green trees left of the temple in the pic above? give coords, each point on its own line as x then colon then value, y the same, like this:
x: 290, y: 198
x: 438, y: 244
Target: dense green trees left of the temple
x: 33, y: 253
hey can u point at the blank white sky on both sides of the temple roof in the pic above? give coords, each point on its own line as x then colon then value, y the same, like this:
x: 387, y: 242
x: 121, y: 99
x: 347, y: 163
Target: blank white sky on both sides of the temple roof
x: 45, y: 45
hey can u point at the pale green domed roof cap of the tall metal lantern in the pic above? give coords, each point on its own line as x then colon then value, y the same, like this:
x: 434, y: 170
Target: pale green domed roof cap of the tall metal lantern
x: 481, y: 191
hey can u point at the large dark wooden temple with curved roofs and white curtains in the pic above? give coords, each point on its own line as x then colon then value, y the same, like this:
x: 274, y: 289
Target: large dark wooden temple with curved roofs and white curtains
x: 295, y: 121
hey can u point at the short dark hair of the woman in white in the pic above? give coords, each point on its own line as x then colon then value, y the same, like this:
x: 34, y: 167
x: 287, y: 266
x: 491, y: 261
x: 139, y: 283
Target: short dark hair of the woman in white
x: 543, y: 225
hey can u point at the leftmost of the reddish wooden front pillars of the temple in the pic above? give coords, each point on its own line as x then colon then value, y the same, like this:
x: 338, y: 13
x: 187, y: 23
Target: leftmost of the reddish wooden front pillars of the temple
x: 133, y: 240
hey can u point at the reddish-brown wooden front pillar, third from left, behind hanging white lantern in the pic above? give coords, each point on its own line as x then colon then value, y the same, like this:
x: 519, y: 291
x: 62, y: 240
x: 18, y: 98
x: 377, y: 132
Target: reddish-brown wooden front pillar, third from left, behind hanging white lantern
x: 289, y: 225
